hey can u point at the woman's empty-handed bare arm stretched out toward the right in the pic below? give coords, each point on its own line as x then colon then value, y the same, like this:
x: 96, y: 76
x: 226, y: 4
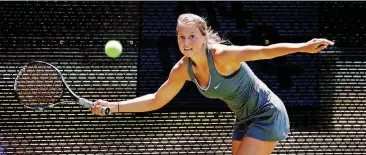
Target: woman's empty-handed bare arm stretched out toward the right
x: 251, y: 53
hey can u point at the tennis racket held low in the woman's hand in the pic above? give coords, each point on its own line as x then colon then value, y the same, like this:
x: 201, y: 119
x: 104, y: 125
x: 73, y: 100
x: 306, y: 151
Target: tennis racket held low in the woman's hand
x: 40, y: 86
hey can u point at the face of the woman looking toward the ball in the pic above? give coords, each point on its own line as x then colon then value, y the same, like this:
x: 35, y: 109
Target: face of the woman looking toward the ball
x: 190, y: 39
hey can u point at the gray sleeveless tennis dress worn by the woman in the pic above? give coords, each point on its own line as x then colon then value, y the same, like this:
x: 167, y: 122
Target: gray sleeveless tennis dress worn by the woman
x: 259, y: 113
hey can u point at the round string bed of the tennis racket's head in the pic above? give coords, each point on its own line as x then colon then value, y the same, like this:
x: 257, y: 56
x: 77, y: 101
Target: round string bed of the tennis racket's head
x: 39, y: 85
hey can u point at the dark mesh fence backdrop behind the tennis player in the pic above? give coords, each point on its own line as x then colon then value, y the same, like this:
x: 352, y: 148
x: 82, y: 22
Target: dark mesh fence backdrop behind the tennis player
x: 324, y: 93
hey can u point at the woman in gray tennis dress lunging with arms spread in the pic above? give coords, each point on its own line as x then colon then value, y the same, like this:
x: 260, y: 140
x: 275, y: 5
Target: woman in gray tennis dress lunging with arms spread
x: 219, y: 71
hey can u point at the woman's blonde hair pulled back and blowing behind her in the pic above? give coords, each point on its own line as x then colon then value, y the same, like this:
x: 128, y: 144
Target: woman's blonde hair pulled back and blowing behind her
x: 212, y: 37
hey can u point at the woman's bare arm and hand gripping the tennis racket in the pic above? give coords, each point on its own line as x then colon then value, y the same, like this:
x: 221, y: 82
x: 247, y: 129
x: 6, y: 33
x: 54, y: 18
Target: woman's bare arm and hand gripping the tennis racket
x: 167, y: 91
